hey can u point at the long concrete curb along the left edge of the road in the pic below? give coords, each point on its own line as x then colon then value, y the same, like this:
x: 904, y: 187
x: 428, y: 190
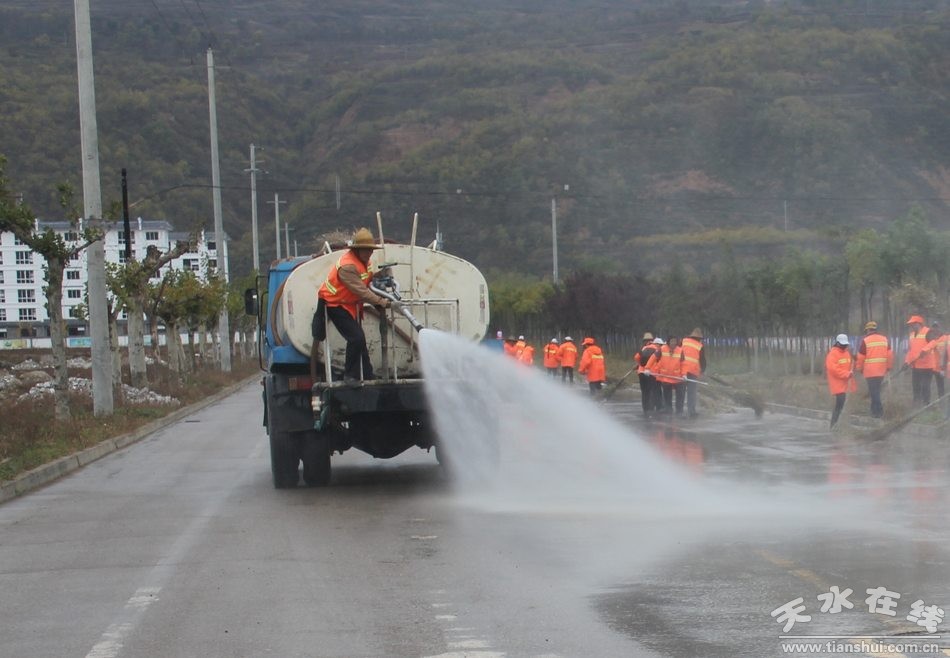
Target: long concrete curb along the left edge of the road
x: 47, y: 473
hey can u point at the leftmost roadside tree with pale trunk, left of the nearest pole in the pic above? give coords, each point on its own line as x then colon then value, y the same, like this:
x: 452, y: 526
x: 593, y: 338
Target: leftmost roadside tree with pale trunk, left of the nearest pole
x: 19, y: 220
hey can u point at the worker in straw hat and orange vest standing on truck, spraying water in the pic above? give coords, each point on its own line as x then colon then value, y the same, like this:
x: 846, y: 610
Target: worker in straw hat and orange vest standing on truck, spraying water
x: 341, y: 299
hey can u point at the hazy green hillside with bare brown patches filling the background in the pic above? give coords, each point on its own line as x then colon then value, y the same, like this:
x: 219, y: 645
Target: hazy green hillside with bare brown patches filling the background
x: 730, y: 121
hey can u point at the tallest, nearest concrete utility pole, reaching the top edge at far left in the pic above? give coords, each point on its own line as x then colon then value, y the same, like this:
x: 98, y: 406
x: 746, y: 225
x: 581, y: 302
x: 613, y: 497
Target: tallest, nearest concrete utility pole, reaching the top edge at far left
x: 102, y: 400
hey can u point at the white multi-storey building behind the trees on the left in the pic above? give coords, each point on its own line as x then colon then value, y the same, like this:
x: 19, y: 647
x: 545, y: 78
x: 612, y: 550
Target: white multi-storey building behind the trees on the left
x: 22, y: 300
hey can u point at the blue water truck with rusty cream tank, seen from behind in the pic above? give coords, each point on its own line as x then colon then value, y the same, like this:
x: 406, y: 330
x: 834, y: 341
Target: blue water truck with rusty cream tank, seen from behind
x: 310, y: 412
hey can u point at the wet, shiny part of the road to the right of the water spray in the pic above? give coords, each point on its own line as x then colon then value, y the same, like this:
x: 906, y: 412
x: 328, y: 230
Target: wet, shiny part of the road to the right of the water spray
x: 869, y: 577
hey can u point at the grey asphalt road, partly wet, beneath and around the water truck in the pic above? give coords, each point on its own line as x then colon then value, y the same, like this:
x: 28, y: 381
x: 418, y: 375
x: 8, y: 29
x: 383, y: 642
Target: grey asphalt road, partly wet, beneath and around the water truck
x: 180, y: 546
